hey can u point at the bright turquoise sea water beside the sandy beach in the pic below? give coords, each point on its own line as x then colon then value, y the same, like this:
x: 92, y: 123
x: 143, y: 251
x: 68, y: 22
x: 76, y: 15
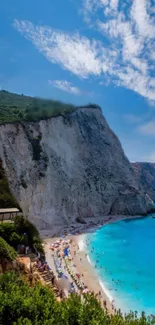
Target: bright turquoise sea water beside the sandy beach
x: 123, y: 254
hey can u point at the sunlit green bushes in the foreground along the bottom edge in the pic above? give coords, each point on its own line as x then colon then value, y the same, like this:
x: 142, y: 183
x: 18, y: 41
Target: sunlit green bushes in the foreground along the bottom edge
x: 21, y: 304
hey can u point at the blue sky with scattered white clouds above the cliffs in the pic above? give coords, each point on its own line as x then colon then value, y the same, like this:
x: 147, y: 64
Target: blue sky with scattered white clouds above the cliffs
x: 81, y: 51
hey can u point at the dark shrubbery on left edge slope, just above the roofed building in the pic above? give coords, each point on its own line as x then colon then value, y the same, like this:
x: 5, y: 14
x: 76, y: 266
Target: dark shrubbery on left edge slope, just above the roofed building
x: 6, y: 198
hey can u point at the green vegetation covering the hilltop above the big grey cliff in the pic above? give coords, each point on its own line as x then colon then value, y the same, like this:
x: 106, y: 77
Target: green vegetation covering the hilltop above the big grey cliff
x: 17, y: 108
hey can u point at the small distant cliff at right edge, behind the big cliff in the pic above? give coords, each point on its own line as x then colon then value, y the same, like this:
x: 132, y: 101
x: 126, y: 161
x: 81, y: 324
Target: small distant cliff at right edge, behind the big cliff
x: 146, y: 176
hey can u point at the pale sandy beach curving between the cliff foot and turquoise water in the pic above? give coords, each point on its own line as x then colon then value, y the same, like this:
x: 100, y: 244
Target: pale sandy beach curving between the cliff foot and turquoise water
x: 75, y: 234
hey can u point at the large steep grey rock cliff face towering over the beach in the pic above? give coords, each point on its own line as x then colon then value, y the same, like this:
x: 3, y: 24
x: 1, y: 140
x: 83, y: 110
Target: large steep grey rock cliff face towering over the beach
x: 70, y: 166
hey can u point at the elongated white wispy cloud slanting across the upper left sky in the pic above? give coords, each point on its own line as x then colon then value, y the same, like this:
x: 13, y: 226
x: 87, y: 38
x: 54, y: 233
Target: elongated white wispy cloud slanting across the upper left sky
x: 73, y: 52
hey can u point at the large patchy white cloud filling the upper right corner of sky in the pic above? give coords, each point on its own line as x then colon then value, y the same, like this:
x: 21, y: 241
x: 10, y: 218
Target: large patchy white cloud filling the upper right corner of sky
x: 130, y: 28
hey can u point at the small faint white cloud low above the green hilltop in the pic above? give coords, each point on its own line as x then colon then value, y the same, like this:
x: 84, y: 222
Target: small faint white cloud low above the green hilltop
x: 65, y: 86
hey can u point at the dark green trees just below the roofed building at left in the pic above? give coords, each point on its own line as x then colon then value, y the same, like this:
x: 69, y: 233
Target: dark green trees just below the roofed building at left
x: 21, y: 232
